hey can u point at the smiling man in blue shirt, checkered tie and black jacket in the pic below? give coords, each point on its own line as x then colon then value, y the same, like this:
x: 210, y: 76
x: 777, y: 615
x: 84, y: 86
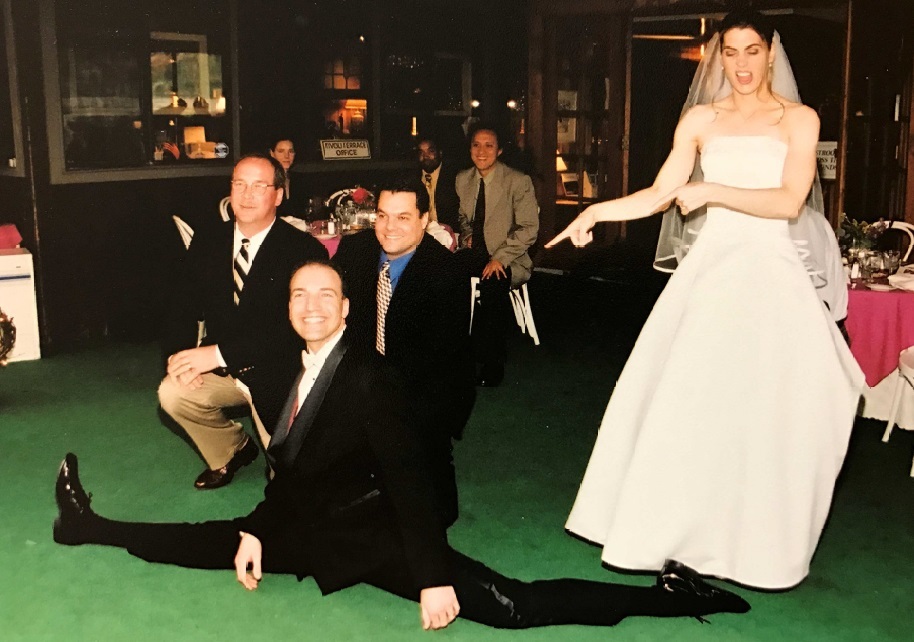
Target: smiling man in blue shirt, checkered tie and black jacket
x: 410, y: 301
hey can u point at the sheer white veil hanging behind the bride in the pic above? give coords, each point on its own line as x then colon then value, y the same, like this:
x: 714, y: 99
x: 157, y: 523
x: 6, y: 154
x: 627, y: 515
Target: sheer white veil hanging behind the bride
x: 810, y: 231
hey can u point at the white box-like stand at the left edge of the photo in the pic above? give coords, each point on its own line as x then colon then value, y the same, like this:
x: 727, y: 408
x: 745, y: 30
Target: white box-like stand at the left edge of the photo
x: 17, y: 300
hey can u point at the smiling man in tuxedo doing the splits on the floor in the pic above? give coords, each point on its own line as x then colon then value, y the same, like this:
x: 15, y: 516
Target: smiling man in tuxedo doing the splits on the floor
x: 349, y: 504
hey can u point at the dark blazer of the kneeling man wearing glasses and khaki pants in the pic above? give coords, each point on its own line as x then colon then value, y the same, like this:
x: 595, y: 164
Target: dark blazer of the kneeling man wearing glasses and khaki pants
x: 255, y: 331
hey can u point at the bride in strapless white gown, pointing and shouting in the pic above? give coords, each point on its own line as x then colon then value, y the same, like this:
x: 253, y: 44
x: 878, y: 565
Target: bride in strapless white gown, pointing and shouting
x: 729, y: 424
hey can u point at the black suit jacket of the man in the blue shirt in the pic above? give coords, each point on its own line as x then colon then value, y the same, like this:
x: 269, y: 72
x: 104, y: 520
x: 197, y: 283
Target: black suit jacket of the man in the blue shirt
x: 427, y: 325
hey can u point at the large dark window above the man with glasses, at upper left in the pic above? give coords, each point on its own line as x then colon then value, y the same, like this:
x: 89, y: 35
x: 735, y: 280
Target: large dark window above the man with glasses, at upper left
x: 139, y: 87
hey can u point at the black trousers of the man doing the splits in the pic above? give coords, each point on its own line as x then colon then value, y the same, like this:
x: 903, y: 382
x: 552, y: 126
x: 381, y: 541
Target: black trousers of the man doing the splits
x: 485, y: 596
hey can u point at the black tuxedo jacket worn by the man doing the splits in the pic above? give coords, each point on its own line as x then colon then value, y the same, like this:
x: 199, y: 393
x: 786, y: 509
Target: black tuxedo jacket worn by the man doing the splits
x: 350, y: 496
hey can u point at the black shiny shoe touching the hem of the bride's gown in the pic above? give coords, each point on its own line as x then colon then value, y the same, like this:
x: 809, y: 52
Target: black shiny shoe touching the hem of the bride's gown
x: 691, y: 595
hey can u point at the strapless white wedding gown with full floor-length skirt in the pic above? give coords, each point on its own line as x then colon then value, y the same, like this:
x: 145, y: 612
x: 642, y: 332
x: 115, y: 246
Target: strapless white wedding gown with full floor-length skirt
x: 729, y: 424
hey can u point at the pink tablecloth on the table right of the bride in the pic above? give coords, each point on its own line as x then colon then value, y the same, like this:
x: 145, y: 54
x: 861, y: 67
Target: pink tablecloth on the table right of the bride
x: 880, y: 325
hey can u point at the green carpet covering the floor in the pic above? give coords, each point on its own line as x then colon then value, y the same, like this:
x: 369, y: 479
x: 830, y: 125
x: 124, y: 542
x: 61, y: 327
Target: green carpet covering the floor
x: 518, y: 469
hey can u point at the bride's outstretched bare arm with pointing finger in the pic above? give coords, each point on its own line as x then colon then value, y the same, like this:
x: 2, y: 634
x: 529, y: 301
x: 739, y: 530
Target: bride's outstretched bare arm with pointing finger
x: 675, y: 172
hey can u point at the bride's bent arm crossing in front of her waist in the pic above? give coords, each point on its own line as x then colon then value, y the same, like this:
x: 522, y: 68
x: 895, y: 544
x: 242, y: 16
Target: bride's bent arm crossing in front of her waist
x: 782, y: 202
